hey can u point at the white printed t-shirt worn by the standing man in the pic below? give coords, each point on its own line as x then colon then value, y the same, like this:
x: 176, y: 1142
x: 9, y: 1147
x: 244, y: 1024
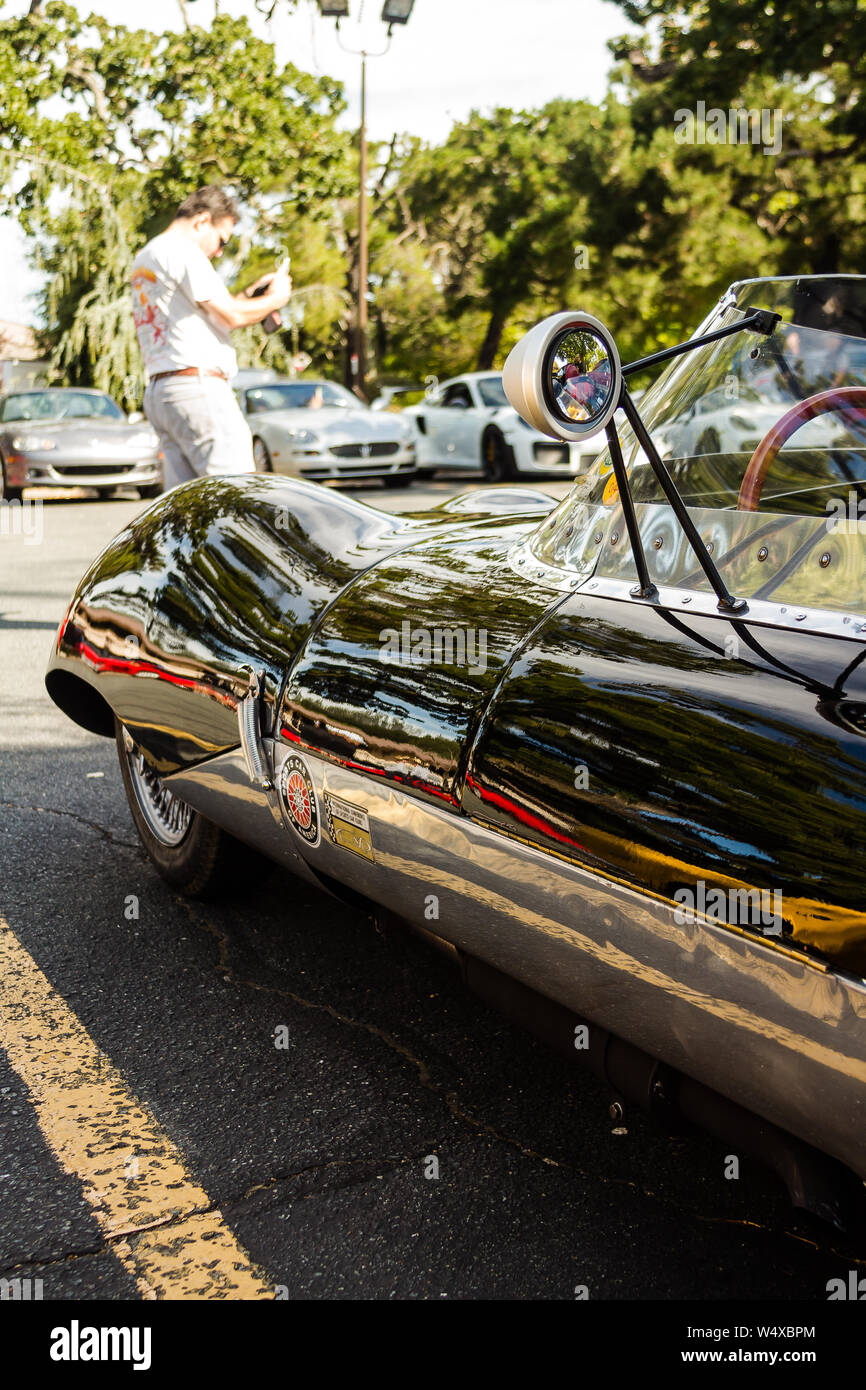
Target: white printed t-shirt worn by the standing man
x: 170, y: 279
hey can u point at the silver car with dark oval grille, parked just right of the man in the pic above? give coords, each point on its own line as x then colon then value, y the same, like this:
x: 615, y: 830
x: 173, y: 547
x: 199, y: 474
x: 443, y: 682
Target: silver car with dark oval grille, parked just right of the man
x: 319, y: 430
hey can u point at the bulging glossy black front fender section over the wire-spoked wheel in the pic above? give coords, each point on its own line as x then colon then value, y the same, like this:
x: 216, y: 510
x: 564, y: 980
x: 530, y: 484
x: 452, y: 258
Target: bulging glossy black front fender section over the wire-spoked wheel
x: 218, y: 576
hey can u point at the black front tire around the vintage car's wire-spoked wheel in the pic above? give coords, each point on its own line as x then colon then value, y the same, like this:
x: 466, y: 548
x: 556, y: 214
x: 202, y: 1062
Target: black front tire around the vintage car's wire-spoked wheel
x: 204, y: 864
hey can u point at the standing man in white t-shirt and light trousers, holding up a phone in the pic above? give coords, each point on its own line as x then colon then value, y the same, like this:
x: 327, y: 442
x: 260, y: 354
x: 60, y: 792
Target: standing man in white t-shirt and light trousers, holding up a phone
x: 184, y: 316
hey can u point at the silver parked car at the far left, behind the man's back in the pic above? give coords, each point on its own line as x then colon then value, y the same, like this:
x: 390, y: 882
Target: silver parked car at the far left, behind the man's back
x: 74, y: 439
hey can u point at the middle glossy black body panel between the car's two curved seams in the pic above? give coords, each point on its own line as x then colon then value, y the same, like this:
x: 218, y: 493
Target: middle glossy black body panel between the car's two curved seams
x: 414, y: 723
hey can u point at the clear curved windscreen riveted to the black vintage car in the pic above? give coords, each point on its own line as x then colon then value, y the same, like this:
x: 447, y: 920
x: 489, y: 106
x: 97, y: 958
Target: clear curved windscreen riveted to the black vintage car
x: 708, y: 415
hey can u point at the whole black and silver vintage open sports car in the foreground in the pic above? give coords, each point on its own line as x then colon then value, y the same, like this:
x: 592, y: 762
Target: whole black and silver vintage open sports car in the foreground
x: 614, y: 753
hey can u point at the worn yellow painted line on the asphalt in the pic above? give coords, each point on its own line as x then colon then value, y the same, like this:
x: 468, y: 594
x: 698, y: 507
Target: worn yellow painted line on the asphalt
x: 161, y: 1223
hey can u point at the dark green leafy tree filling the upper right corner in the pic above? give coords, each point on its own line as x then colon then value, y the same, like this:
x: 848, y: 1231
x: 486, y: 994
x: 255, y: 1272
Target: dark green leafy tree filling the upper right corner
x: 804, y: 60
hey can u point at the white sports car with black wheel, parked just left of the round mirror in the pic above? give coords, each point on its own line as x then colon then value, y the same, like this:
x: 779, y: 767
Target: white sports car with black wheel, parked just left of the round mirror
x: 469, y: 425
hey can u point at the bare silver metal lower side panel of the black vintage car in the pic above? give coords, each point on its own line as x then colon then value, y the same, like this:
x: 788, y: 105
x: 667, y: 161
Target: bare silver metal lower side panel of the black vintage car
x: 781, y: 1035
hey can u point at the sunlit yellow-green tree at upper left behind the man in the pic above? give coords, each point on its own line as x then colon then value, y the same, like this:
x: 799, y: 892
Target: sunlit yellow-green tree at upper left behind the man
x: 104, y: 130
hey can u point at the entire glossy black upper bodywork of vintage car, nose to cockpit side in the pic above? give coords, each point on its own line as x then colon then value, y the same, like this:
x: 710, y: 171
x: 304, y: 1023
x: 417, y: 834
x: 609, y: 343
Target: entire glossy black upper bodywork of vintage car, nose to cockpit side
x: 744, y: 769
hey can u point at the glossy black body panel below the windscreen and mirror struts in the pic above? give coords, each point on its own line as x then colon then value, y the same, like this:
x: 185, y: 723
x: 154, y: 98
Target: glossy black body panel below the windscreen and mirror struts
x: 665, y: 750
